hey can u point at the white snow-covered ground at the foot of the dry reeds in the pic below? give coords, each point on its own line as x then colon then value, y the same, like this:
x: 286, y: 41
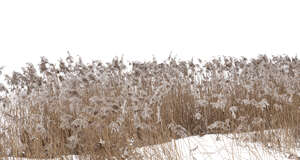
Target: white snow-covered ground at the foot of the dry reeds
x: 210, y: 147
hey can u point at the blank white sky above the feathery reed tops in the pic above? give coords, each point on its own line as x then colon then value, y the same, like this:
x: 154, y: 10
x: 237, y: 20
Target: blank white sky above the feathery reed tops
x: 139, y: 29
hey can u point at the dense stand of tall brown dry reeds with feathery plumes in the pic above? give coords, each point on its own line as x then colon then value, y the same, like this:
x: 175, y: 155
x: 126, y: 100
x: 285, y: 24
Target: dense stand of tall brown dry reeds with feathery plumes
x: 107, y: 110
